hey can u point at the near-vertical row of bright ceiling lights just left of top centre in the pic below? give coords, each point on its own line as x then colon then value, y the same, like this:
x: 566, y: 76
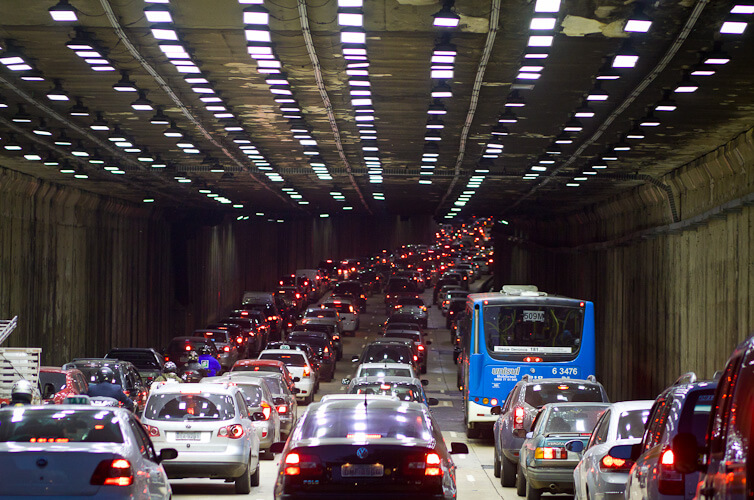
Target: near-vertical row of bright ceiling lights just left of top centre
x: 354, y: 49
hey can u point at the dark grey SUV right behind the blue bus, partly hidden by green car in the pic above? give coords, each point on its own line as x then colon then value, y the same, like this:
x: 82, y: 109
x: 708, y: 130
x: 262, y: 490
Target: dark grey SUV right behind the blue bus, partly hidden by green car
x: 523, y: 403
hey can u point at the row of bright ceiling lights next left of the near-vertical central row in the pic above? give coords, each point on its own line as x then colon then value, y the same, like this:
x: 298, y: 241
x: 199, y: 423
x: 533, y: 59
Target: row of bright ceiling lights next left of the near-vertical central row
x: 256, y: 19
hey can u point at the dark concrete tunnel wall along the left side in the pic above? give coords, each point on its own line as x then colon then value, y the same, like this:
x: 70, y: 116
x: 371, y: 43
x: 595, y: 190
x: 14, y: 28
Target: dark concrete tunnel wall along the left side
x: 85, y: 273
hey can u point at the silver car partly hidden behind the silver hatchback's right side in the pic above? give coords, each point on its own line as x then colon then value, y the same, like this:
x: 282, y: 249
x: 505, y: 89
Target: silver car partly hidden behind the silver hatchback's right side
x: 259, y: 399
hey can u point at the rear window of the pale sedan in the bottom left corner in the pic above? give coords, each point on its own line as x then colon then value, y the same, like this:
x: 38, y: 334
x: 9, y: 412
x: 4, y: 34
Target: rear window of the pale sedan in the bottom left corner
x: 59, y: 426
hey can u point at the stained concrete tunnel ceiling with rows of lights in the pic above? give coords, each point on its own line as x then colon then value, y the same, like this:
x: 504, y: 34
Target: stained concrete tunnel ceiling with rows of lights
x: 253, y: 156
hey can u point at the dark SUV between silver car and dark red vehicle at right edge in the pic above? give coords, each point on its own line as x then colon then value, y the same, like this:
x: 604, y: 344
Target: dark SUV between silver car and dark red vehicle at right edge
x: 685, y: 408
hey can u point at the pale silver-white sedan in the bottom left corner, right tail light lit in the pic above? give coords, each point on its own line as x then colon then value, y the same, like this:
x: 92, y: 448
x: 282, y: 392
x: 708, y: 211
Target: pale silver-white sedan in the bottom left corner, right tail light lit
x: 79, y: 451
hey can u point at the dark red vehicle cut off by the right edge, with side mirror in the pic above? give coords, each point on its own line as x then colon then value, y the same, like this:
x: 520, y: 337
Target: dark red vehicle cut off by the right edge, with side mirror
x: 728, y: 452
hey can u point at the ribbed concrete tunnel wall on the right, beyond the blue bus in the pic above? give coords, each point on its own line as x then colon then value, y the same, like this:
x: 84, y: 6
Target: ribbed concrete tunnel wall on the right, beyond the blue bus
x: 669, y: 297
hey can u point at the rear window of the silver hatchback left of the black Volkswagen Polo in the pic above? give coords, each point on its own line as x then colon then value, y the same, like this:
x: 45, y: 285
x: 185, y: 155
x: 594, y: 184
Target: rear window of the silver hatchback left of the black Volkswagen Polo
x: 179, y: 406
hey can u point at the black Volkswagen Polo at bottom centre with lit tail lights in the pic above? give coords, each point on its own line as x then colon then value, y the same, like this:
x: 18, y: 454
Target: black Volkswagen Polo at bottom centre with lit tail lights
x: 359, y: 446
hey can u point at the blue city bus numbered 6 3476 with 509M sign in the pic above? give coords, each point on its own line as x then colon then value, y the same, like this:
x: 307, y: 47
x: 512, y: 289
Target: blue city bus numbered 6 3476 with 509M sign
x: 519, y: 330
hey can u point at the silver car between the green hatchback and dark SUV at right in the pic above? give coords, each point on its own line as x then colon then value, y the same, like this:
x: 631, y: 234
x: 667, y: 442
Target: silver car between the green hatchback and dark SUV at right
x: 600, y: 476
